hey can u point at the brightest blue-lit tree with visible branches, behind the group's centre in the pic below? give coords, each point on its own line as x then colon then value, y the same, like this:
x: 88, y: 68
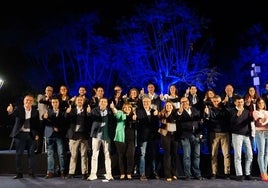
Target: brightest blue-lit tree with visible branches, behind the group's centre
x: 162, y: 43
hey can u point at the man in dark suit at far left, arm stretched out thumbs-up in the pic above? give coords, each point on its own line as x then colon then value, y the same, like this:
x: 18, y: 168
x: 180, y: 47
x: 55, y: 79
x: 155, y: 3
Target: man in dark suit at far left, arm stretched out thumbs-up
x: 25, y: 132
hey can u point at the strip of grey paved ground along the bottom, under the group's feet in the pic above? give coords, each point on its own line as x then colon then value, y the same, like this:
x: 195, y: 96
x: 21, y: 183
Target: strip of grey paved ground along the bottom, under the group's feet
x: 6, y: 181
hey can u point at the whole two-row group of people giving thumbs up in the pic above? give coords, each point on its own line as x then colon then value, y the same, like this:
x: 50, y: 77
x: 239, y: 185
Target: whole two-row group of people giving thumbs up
x: 136, y: 126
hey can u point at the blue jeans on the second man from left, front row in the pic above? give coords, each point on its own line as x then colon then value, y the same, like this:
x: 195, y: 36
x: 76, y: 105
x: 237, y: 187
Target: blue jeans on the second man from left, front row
x: 53, y: 143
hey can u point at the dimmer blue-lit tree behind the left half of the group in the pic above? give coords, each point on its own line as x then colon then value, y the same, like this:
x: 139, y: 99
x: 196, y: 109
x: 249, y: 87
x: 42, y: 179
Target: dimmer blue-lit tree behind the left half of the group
x: 73, y: 54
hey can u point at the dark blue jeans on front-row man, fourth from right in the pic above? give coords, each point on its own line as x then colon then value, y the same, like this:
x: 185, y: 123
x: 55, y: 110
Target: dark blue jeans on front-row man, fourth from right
x: 189, y: 146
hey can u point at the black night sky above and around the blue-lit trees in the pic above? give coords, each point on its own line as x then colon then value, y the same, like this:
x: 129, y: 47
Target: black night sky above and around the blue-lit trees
x: 23, y: 21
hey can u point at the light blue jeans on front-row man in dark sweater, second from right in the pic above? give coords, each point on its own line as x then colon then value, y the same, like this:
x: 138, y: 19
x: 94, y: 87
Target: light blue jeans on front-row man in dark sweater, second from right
x: 241, y: 142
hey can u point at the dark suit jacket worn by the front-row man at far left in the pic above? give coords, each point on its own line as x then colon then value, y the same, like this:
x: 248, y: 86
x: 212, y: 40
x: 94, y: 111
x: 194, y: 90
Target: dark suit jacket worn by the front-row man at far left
x: 19, y: 114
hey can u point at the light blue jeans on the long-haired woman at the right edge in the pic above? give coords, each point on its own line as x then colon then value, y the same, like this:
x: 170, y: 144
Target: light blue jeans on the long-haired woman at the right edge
x: 261, y: 138
